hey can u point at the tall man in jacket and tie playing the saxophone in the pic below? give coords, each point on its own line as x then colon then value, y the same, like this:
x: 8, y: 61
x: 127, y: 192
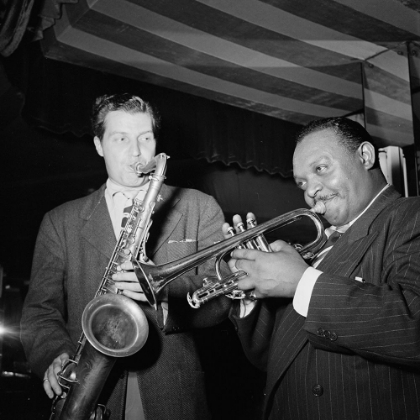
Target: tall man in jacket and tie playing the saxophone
x: 164, y: 378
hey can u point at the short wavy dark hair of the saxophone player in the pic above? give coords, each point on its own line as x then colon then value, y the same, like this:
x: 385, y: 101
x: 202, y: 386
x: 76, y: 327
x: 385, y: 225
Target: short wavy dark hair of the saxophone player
x: 121, y: 102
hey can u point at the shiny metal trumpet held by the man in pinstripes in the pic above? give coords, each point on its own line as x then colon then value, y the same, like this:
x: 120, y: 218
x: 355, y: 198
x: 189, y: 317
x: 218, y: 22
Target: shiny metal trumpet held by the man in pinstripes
x: 153, y: 279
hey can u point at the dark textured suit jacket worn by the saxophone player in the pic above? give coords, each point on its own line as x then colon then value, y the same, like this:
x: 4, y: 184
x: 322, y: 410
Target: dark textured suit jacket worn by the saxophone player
x: 74, y: 245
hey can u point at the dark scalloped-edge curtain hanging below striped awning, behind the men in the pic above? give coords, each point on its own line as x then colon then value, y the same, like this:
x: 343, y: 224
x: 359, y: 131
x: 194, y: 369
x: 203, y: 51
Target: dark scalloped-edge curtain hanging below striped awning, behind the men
x: 61, y: 100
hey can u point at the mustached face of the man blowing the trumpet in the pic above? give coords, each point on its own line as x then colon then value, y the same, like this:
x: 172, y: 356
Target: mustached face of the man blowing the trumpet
x: 325, y: 171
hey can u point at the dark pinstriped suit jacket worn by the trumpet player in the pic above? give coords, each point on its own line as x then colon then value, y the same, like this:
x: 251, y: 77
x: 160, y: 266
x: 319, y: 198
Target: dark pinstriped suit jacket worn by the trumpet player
x: 357, y: 354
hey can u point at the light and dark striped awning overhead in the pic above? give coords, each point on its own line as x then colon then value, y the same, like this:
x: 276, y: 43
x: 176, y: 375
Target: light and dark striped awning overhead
x: 295, y: 60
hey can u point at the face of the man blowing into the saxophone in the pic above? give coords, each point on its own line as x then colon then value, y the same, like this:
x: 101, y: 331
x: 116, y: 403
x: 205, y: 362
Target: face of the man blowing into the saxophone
x: 128, y: 139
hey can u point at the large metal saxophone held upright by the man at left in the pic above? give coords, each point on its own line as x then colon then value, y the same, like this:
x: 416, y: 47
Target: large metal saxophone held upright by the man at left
x: 113, y: 325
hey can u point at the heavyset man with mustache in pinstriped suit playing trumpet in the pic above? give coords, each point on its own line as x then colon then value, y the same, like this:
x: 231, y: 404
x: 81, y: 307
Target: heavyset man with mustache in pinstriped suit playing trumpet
x: 340, y: 338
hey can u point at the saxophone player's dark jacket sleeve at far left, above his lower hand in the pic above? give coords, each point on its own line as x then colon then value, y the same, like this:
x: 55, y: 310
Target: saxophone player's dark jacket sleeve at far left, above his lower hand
x: 43, y: 327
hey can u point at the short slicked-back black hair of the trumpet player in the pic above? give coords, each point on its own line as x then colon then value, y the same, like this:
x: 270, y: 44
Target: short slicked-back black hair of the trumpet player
x: 350, y: 134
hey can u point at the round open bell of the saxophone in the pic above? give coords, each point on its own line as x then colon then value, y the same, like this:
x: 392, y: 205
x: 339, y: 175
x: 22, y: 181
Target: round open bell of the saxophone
x: 115, y: 325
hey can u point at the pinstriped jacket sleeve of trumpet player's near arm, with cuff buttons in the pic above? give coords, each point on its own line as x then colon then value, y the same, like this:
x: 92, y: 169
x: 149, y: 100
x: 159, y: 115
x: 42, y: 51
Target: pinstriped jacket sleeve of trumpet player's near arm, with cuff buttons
x: 378, y: 317
